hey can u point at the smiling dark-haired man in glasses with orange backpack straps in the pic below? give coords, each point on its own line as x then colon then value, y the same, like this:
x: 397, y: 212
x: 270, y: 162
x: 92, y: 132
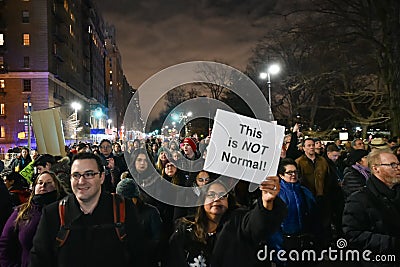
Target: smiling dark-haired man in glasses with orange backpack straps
x: 89, y: 216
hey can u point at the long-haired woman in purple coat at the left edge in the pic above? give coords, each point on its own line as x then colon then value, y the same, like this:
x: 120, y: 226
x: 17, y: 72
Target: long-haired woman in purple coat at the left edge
x: 16, y: 239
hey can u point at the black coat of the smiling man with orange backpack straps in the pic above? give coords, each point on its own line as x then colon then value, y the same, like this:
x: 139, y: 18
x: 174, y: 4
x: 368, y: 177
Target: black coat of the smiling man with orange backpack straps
x: 92, y: 240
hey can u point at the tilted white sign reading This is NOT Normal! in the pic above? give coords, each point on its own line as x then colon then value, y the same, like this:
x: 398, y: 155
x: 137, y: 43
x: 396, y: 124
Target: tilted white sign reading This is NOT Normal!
x: 243, y: 147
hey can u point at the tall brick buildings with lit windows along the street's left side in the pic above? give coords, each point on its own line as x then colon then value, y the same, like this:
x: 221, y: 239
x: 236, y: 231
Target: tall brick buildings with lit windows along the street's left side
x: 53, y: 53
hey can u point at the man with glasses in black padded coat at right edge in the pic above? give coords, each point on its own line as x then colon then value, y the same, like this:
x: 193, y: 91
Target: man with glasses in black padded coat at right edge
x: 371, y: 218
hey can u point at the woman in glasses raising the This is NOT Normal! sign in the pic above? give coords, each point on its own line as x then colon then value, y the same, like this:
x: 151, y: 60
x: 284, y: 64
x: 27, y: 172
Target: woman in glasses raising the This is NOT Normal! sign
x: 221, y: 234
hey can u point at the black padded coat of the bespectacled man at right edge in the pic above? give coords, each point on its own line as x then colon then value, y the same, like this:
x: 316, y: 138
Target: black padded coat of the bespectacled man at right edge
x: 371, y: 221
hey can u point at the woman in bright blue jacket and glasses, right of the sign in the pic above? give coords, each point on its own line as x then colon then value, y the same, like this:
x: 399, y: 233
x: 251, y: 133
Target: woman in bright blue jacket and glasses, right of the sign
x: 300, y: 225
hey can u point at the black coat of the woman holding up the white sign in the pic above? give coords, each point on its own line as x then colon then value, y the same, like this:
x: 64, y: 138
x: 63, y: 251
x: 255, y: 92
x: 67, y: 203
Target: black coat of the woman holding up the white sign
x: 236, y: 241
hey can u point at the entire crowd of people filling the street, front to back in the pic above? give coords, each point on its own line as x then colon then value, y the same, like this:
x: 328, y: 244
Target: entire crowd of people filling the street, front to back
x: 64, y: 211
